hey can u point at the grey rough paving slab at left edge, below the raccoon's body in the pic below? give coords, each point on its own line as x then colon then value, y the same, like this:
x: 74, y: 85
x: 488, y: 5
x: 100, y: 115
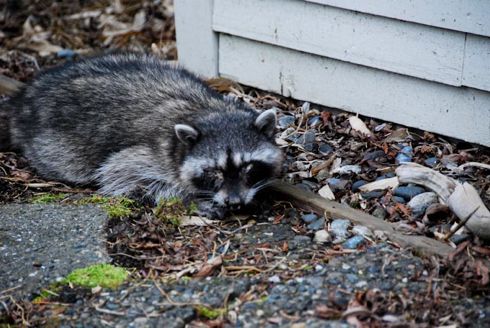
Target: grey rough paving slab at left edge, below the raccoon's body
x: 42, y: 243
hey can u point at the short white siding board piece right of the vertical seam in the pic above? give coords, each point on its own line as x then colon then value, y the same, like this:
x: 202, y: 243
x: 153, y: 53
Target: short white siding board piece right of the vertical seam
x: 476, y: 72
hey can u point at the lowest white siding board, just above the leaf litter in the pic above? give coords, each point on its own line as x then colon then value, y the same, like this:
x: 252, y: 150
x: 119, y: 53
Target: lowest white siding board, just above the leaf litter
x: 458, y: 112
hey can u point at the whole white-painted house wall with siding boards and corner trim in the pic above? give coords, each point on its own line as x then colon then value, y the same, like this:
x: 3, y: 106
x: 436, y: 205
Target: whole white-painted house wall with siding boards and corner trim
x: 422, y: 63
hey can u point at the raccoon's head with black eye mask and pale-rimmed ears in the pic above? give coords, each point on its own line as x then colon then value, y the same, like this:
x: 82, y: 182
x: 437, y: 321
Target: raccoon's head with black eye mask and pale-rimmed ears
x: 231, y: 156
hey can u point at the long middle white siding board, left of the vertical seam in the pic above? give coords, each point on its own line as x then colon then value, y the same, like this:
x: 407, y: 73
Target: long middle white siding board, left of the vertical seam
x: 406, y: 48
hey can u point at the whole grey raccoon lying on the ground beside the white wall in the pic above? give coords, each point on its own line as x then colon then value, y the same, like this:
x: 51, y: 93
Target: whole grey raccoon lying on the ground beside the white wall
x: 132, y: 123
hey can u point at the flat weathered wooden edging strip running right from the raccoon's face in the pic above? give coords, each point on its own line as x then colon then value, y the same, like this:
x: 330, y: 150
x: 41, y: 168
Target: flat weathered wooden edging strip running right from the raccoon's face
x: 421, y: 245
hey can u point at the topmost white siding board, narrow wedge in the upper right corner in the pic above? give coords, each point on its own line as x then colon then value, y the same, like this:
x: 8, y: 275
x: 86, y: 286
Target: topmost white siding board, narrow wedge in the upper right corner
x: 472, y: 16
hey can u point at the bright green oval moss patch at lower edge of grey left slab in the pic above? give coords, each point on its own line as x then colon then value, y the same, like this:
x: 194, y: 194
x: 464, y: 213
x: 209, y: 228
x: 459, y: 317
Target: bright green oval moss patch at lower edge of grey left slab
x: 103, y: 275
